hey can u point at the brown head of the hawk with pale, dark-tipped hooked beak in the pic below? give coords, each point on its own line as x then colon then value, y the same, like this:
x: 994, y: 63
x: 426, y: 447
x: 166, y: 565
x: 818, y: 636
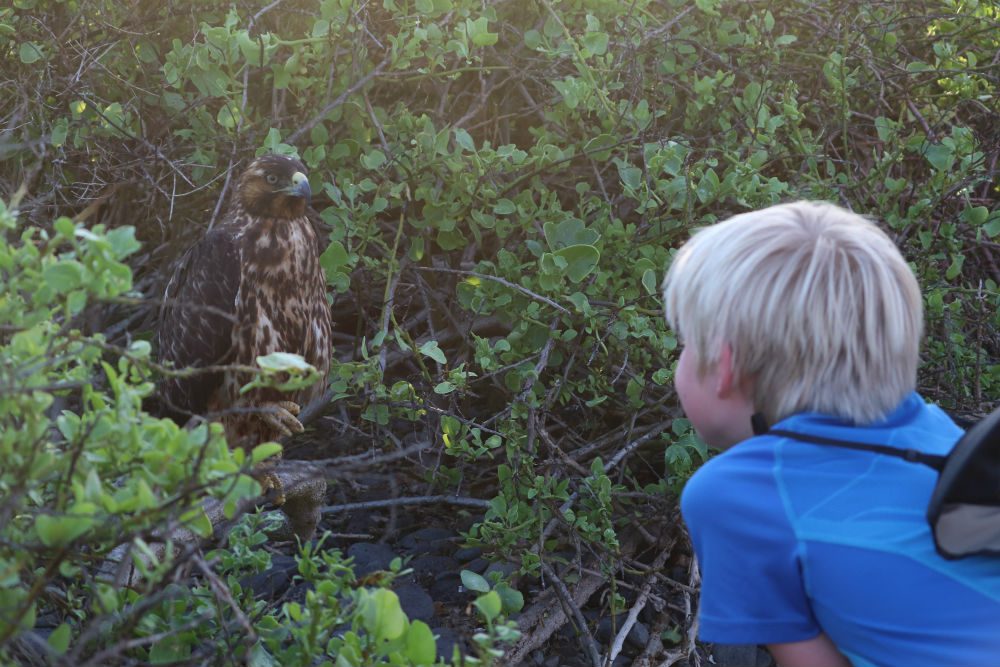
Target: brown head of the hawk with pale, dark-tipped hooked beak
x: 274, y: 186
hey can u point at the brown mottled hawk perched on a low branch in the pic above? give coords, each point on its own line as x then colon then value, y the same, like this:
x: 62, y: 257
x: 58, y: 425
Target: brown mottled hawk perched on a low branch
x: 249, y: 287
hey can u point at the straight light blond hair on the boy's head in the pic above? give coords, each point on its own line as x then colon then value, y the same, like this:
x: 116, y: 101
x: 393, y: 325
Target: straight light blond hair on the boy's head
x: 819, y: 307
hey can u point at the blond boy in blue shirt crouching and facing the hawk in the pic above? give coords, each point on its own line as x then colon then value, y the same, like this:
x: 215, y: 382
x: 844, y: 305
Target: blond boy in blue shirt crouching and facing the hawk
x: 805, y: 317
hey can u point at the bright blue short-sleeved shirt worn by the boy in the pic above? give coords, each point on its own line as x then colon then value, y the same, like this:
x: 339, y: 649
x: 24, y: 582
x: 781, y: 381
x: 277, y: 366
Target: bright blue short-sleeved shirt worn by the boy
x: 794, y: 539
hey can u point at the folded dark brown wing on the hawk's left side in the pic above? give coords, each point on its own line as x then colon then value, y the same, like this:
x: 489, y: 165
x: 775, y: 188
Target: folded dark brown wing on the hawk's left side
x: 197, y: 320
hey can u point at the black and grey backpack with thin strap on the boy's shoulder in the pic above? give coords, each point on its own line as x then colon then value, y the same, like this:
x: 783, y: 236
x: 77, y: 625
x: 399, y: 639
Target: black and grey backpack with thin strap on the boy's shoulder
x: 964, y: 511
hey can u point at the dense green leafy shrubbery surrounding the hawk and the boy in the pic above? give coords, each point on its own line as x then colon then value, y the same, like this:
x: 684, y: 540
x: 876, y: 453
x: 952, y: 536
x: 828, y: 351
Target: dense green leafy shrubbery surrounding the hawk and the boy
x: 503, y: 184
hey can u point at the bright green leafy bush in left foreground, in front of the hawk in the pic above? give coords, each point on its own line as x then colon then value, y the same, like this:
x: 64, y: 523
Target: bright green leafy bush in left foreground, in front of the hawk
x: 86, y: 471
